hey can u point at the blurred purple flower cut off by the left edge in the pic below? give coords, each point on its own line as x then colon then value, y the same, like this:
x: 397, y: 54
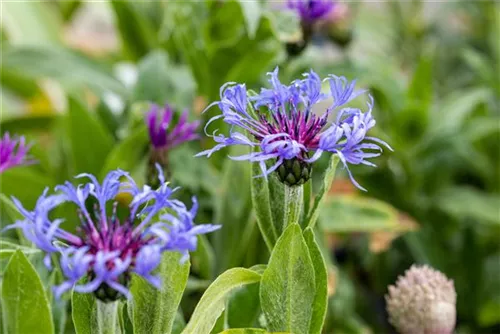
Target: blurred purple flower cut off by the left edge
x: 13, y: 152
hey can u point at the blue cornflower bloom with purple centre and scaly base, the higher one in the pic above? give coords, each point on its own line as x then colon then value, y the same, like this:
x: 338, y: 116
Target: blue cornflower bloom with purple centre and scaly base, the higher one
x: 285, y: 133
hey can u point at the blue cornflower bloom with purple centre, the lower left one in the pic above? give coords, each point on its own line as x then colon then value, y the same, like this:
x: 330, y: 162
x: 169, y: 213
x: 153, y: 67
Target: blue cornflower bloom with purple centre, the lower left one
x: 107, y: 249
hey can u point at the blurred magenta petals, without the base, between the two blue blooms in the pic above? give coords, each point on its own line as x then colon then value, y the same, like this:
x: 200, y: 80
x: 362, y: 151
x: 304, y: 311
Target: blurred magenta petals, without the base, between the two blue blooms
x: 159, y: 120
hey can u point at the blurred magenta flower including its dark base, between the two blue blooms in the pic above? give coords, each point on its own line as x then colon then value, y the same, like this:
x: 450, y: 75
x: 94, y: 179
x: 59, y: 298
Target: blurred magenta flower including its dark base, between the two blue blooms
x: 164, y: 136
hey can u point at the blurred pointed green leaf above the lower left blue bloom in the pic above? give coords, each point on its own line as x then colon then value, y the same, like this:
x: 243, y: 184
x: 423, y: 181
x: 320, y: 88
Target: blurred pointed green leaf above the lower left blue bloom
x: 90, y: 142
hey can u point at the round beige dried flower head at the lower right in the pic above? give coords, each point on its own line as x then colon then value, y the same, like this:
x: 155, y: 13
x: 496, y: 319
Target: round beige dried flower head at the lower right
x: 423, y: 301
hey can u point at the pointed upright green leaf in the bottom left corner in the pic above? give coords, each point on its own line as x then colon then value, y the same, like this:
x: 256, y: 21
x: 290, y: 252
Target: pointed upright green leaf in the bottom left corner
x: 25, y: 306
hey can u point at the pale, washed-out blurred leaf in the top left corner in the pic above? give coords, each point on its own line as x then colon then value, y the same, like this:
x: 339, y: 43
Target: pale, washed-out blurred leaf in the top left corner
x: 30, y: 23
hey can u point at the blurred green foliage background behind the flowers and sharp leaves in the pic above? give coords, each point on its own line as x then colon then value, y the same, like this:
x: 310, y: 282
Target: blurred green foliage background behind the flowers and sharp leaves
x: 77, y: 77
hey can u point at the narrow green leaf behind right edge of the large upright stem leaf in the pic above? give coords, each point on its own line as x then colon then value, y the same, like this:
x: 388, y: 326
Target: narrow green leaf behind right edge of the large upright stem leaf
x: 321, y: 279
